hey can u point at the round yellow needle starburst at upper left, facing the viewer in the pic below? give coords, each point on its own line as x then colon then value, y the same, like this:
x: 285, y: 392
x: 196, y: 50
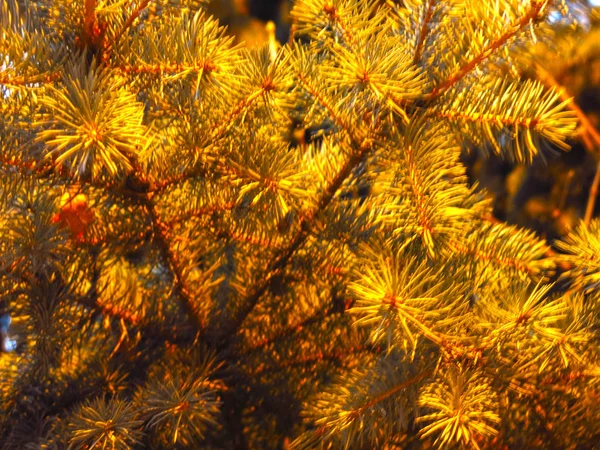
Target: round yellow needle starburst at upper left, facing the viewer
x: 93, y: 124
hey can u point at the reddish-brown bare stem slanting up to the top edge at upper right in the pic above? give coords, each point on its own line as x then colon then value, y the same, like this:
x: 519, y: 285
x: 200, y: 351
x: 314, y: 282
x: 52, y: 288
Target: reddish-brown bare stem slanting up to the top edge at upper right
x: 513, y: 29
